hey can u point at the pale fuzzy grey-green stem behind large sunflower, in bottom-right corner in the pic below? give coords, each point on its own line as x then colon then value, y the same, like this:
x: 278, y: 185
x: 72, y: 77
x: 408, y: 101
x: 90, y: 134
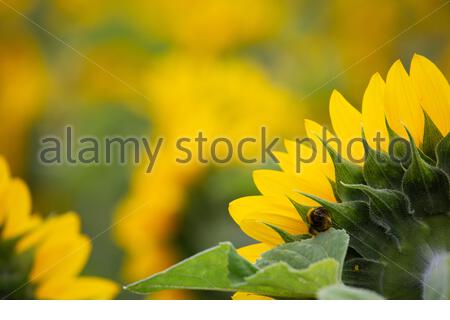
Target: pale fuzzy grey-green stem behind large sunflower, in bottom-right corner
x: 437, y: 279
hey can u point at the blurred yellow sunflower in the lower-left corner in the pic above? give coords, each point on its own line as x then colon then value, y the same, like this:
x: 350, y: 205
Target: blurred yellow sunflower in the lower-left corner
x: 42, y: 257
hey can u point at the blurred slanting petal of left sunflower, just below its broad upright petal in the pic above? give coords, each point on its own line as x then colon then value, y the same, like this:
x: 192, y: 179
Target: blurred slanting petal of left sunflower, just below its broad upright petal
x: 68, y: 223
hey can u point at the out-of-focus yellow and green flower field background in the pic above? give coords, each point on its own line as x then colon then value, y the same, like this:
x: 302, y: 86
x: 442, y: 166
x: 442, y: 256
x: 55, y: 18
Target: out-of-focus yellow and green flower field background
x: 171, y: 68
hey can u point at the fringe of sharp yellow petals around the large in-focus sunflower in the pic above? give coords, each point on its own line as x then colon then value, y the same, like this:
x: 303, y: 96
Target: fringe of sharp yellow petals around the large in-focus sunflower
x: 401, y: 106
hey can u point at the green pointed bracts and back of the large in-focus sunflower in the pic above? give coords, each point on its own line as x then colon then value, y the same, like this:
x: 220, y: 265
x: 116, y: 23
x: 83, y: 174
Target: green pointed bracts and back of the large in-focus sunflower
x: 397, y: 219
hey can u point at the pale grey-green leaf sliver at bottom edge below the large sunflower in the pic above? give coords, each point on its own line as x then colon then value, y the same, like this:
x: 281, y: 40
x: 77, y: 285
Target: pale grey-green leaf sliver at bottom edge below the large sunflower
x: 342, y: 292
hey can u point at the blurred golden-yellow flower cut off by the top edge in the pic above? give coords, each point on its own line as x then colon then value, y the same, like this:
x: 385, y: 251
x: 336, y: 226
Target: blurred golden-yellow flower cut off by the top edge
x: 204, y: 26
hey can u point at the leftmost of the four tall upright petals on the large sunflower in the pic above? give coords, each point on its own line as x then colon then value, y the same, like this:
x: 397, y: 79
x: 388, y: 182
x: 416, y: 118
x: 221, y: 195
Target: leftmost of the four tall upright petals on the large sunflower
x: 347, y: 124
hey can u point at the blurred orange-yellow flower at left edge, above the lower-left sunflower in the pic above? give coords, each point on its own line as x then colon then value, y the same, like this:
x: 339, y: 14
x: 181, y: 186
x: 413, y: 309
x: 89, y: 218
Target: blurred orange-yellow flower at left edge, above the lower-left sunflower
x: 23, y: 85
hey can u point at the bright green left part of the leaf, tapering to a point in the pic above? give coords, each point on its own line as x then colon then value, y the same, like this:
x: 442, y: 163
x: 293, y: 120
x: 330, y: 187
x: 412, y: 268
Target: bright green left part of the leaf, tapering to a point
x: 214, y: 269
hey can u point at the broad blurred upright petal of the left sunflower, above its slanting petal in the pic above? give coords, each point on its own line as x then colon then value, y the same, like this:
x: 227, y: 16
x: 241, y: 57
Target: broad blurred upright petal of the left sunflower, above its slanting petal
x: 17, y: 209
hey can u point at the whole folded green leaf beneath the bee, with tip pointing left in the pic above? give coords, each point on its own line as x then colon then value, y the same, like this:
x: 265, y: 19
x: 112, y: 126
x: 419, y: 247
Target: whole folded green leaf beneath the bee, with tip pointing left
x: 294, y: 270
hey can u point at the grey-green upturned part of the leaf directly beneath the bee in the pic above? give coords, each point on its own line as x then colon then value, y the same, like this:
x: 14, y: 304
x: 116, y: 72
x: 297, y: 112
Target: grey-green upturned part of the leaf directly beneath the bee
x: 300, y: 254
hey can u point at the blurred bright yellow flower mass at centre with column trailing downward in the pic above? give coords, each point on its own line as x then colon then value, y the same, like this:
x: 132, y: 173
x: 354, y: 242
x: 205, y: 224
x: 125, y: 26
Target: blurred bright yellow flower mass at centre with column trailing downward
x: 230, y: 99
